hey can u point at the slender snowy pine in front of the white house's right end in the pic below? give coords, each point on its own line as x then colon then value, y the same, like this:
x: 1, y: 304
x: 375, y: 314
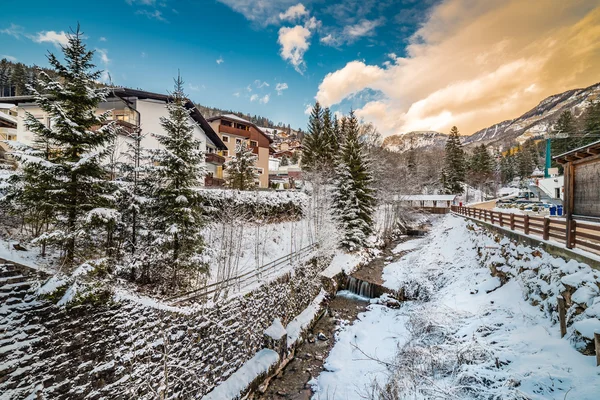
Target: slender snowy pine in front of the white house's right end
x: 176, y: 243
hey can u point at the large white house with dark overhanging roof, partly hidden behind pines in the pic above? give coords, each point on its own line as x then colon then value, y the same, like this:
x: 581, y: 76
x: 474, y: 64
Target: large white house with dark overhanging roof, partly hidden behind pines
x: 133, y: 110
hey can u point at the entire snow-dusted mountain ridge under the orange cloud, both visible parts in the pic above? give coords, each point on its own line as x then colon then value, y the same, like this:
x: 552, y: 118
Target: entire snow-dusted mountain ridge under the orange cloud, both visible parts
x: 534, y: 123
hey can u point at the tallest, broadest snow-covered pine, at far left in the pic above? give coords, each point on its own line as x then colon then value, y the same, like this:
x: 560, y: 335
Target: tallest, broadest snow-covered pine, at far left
x: 72, y: 149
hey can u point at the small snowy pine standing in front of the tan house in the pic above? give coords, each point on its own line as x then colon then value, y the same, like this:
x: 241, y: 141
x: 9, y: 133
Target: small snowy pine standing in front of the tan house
x: 241, y: 173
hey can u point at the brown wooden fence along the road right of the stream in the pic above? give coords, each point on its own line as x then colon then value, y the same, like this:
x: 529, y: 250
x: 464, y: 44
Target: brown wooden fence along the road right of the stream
x: 571, y: 233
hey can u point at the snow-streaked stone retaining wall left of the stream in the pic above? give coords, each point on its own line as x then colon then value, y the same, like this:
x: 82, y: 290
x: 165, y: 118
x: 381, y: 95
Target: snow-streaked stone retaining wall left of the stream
x: 127, y: 350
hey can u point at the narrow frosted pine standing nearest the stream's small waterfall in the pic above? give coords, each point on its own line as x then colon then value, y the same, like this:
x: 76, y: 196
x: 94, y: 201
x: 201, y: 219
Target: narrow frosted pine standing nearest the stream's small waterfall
x: 353, y: 195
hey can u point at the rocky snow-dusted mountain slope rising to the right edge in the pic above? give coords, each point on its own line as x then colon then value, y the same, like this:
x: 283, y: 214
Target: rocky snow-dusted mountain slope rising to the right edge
x: 538, y: 120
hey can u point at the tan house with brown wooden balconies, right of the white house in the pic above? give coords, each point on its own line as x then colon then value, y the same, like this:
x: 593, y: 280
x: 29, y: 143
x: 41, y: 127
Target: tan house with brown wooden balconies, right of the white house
x: 233, y: 130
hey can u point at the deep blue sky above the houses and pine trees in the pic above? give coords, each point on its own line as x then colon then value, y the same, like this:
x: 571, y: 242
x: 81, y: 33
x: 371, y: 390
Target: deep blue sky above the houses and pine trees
x: 231, y: 53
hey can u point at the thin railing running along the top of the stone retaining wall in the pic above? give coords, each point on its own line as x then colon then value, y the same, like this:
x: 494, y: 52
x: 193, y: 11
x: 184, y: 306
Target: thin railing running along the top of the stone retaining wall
x: 244, y: 280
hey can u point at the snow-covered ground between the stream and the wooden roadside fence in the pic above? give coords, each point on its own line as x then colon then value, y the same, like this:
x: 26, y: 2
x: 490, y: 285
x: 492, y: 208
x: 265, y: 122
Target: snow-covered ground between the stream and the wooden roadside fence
x: 466, y: 337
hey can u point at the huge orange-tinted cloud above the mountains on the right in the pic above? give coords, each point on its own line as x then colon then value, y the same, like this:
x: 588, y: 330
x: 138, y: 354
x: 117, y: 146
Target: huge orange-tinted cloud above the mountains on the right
x: 473, y: 64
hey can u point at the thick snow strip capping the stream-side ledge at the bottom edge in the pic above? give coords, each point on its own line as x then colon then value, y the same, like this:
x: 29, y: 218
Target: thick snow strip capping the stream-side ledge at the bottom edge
x: 243, y: 377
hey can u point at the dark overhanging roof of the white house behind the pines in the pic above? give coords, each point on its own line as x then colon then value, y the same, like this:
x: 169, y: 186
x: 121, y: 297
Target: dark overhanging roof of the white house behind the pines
x: 124, y: 93
